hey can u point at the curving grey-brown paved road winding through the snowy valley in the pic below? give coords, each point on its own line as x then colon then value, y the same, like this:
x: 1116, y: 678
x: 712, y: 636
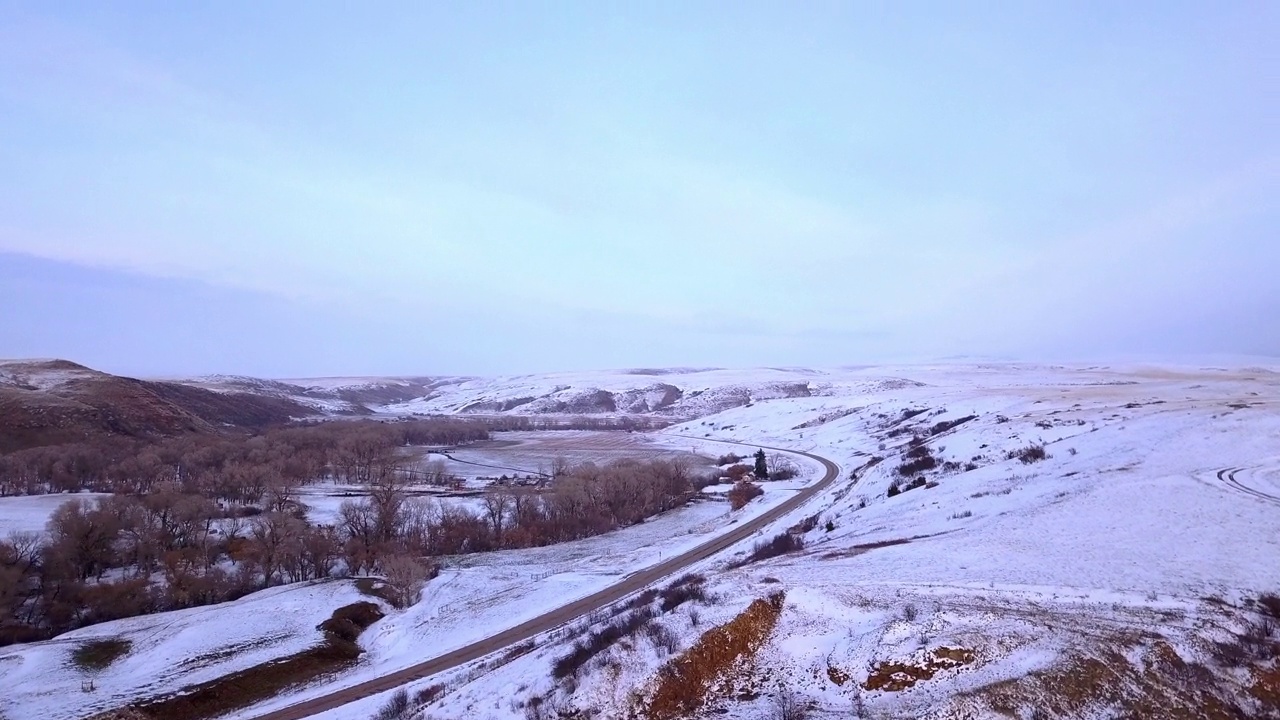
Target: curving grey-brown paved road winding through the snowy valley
x: 554, y: 619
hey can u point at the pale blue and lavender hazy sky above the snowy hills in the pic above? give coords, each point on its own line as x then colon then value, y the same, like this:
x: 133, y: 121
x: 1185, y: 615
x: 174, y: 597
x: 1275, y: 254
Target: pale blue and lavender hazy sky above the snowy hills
x: 322, y: 189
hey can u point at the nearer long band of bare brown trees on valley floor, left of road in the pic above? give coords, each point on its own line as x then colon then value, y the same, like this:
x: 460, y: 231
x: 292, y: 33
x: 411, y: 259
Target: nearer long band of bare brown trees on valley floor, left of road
x: 175, y: 546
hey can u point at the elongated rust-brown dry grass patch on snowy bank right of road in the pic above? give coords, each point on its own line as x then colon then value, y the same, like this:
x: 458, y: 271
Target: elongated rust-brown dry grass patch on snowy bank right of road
x: 685, y: 683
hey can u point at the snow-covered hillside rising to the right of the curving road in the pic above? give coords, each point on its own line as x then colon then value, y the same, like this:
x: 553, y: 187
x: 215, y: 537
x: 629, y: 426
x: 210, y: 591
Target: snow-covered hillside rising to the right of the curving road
x: 1156, y: 505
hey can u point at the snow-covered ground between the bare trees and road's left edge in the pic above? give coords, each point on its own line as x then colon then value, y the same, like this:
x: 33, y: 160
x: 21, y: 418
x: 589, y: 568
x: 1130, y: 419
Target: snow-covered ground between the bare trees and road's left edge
x: 474, y: 598
